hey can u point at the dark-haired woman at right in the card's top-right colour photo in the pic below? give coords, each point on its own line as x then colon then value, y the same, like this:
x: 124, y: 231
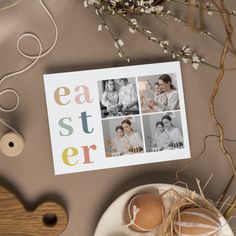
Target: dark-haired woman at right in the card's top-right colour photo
x: 166, y: 86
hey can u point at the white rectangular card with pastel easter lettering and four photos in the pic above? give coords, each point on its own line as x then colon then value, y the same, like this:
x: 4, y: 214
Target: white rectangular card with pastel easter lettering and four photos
x: 115, y: 117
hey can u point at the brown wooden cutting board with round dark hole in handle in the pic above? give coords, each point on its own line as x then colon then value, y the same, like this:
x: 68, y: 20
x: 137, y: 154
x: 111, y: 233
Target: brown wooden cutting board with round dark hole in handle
x: 48, y: 219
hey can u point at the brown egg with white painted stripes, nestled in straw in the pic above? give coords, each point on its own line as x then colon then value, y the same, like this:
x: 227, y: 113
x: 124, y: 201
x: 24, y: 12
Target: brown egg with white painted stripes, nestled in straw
x: 197, y: 221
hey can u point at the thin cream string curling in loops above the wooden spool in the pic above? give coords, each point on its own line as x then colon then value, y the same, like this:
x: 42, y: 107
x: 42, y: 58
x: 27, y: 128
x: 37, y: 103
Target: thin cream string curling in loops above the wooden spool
x: 34, y: 57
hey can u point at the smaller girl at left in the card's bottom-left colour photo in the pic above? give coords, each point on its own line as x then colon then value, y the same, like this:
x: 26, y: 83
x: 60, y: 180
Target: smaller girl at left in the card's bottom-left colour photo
x: 120, y: 143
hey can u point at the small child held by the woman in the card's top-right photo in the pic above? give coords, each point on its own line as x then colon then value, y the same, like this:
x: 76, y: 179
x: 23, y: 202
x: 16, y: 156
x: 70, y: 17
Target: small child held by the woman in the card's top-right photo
x: 159, y: 102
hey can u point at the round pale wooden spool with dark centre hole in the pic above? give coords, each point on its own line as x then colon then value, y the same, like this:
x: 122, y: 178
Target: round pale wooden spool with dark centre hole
x: 12, y: 144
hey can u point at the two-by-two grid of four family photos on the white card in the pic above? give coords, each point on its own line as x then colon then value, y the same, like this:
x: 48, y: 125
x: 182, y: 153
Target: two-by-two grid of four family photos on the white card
x: 140, y: 114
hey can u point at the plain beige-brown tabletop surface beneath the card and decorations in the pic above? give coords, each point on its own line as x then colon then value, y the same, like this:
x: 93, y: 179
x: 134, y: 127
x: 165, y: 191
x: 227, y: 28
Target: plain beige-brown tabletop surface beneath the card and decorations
x: 81, y: 46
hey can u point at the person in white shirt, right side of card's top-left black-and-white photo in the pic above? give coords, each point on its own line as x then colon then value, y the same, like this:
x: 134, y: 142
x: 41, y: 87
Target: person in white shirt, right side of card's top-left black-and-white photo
x: 128, y: 99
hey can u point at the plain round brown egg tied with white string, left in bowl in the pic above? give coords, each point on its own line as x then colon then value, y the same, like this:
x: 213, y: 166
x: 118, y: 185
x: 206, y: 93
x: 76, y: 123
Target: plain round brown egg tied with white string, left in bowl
x: 145, y: 212
